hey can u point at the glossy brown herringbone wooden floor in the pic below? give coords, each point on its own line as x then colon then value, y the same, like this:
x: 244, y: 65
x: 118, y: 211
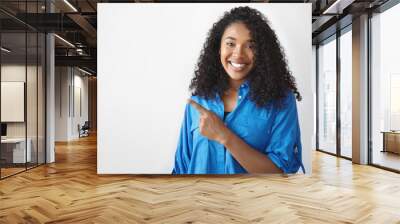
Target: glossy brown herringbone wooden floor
x: 70, y: 191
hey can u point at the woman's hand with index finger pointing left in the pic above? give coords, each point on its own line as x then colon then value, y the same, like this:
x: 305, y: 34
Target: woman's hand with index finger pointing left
x: 210, y: 124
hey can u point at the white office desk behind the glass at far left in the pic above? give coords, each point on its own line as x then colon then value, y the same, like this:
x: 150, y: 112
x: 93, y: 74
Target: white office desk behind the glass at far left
x: 13, y: 150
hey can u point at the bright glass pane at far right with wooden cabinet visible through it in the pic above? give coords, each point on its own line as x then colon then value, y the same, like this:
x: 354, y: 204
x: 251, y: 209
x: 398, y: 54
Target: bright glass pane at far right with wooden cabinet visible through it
x: 385, y: 89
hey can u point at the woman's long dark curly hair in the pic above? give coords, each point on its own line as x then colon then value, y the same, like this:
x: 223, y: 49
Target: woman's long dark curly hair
x: 270, y: 79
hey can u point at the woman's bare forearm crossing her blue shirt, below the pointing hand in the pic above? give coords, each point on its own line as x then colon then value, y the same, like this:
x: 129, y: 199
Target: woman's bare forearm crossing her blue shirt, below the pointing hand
x: 251, y: 159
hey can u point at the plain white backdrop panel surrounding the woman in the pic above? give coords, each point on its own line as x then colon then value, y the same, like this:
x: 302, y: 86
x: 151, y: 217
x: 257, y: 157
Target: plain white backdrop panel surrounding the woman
x: 144, y: 70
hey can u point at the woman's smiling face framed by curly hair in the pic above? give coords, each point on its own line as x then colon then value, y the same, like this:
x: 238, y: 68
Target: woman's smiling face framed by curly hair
x: 237, y: 51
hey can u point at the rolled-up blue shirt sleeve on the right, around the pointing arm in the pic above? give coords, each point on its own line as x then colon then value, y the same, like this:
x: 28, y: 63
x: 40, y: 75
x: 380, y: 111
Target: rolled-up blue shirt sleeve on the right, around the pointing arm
x: 284, y: 148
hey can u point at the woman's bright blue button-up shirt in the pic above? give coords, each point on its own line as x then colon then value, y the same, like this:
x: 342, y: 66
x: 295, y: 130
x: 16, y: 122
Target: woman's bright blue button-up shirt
x: 273, y: 131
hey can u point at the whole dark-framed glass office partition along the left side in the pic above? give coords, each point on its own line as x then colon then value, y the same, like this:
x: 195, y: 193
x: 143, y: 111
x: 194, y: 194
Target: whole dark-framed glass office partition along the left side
x: 22, y: 117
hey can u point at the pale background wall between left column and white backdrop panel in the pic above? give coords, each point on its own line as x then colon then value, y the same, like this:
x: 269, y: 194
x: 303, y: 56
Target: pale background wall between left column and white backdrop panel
x: 68, y: 82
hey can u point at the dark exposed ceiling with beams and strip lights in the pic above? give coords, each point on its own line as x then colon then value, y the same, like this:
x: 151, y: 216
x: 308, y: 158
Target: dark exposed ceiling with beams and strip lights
x: 76, y: 22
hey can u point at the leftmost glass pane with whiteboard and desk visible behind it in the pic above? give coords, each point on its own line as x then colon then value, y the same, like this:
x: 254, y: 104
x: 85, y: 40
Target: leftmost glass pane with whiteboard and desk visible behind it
x: 14, y: 153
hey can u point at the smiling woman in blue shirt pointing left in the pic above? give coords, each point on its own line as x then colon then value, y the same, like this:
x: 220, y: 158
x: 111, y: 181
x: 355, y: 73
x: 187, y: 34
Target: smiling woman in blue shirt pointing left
x: 242, y: 117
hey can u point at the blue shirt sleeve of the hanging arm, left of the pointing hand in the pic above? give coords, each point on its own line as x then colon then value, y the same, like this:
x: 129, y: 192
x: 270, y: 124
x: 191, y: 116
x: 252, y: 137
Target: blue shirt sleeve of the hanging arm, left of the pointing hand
x: 185, y: 144
